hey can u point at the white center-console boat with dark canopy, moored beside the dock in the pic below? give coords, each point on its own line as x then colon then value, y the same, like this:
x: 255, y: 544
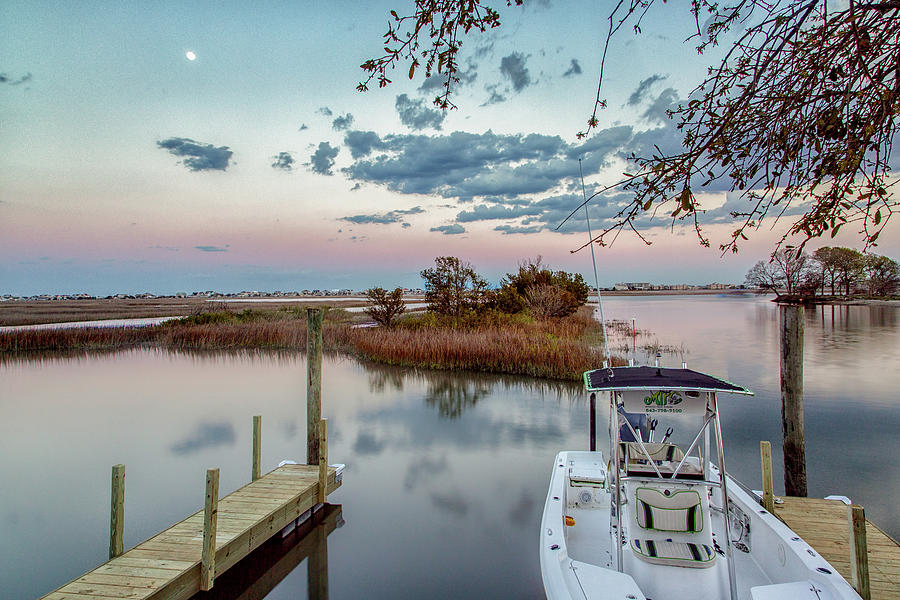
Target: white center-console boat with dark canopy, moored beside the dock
x: 656, y: 520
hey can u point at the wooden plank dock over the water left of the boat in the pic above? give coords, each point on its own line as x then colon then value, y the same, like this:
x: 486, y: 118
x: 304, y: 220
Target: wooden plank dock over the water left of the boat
x: 168, y: 565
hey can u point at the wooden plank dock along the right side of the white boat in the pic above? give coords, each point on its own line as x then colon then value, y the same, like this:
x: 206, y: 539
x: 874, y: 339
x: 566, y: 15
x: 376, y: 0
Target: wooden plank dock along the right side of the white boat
x: 824, y: 525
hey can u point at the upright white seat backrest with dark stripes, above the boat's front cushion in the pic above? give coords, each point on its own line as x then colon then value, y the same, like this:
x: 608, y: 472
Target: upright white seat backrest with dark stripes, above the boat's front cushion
x: 678, y: 510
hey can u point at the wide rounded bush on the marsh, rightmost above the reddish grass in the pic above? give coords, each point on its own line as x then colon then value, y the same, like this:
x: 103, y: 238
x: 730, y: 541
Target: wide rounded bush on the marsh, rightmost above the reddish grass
x: 544, y: 293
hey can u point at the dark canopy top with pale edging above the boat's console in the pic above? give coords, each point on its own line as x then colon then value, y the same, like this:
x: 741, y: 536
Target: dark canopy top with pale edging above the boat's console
x: 656, y: 378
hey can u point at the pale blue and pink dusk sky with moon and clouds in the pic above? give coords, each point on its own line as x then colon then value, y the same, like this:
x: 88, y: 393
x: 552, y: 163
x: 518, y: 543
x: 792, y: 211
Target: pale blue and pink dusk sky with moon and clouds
x: 175, y: 147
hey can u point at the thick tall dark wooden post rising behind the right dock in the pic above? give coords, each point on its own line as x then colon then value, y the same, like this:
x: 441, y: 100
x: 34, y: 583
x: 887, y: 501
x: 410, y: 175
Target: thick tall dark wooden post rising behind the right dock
x: 792, y: 400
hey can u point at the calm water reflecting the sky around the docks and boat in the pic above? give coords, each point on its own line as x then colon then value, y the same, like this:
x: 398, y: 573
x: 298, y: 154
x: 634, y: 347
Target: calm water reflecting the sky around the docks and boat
x: 446, y: 474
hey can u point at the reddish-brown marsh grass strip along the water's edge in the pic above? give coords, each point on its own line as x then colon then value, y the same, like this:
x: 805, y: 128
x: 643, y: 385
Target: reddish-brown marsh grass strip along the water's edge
x: 496, y: 343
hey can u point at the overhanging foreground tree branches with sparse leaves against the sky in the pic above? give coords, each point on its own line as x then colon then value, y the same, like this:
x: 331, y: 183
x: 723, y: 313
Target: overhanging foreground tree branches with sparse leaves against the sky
x: 802, y: 108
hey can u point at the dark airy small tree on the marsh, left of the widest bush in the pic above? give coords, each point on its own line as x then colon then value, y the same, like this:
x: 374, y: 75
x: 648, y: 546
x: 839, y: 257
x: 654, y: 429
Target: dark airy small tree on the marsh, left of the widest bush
x: 453, y: 288
